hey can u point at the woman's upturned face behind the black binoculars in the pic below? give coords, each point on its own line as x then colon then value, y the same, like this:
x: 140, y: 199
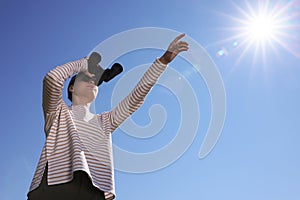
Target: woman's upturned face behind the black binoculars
x: 84, y: 88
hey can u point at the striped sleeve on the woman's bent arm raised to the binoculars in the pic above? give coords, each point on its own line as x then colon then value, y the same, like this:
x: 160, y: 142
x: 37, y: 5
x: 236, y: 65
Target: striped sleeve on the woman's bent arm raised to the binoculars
x: 53, y: 84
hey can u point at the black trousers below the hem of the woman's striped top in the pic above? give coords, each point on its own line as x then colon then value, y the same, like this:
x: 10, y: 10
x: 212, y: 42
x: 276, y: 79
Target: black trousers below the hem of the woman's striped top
x: 80, y: 188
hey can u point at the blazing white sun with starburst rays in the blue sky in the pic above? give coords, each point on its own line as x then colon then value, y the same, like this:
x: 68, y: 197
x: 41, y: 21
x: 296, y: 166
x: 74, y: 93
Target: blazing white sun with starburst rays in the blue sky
x: 264, y: 27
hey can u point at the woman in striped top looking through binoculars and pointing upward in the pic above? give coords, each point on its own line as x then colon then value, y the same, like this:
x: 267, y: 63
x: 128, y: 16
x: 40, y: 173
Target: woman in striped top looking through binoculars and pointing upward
x: 76, y: 161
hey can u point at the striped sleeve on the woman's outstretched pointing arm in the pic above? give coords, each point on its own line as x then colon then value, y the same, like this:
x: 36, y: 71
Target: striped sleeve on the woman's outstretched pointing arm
x: 137, y: 96
